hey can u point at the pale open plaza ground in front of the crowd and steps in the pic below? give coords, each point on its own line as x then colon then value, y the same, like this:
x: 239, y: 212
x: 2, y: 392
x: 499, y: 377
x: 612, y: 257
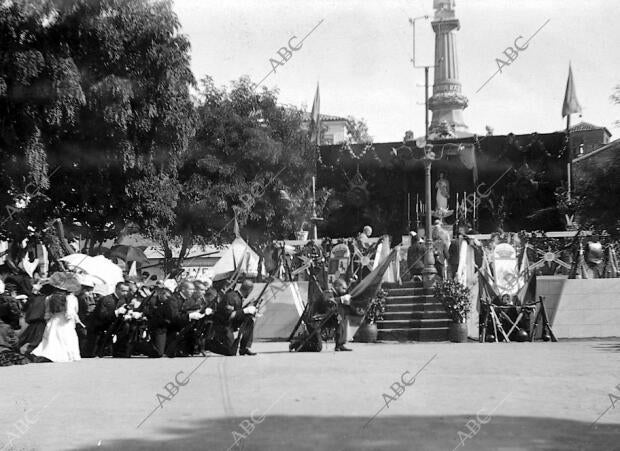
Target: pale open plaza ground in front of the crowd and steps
x: 528, y: 396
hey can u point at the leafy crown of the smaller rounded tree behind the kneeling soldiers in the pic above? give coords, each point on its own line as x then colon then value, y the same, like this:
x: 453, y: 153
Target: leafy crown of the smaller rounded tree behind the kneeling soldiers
x: 247, y: 149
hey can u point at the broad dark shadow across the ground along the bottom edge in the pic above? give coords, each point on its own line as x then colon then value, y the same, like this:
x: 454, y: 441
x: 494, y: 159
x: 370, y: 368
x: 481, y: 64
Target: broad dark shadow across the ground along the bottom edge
x: 387, y: 433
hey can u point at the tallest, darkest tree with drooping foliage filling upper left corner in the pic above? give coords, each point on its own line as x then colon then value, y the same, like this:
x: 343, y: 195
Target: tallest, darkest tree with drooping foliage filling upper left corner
x: 98, y: 91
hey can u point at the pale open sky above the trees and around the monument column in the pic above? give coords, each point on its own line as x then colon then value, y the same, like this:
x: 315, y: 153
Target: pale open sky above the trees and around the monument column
x: 361, y: 54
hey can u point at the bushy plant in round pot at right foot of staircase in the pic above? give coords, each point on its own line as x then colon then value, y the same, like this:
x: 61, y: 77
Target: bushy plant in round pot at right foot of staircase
x: 455, y: 298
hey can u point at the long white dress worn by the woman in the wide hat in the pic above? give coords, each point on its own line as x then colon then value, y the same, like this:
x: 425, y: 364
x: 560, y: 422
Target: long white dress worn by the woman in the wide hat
x: 60, y: 341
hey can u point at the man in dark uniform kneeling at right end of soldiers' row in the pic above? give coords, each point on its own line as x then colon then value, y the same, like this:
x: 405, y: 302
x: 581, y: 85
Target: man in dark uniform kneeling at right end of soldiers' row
x: 231, y: 316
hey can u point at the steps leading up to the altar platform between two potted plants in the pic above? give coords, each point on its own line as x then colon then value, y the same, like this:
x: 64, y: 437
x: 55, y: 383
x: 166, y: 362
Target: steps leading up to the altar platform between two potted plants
x: 412, y: 315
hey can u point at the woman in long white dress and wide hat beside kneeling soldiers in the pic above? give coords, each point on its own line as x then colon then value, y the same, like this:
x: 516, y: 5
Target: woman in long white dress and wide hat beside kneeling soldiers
x: 60, y: 341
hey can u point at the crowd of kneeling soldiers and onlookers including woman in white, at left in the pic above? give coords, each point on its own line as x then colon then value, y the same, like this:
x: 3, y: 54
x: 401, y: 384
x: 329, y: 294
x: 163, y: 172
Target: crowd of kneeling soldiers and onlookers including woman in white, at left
x: 61, y: 319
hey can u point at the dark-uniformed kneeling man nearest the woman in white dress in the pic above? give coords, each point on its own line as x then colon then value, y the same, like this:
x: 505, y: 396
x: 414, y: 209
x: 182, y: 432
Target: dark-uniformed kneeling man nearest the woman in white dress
x: 107, y: 309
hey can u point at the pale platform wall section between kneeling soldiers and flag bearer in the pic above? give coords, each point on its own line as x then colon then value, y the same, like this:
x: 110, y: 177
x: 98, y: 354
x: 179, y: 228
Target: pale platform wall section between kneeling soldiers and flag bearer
x: 282, y: 305
